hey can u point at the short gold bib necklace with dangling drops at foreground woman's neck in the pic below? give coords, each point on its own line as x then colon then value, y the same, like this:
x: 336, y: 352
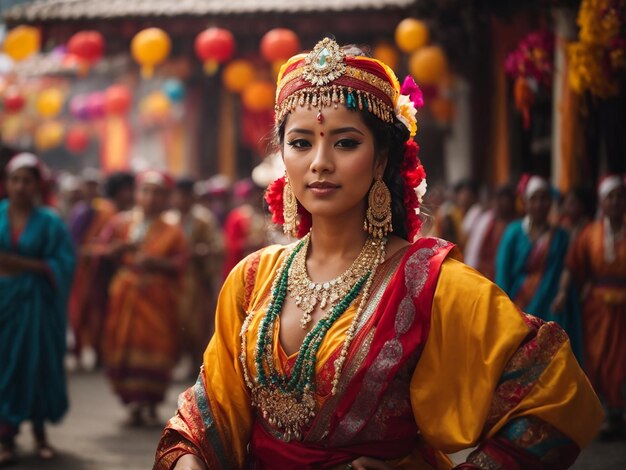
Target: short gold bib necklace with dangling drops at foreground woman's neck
x: 308, y: 294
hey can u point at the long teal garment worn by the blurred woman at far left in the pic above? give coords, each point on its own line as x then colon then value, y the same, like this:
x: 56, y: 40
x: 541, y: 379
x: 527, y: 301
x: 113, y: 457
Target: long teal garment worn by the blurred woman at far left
x: 33, y: 320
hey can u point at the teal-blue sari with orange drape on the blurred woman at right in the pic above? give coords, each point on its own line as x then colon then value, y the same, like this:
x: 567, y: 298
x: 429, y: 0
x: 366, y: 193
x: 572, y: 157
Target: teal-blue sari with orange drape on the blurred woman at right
x: 530, y: 273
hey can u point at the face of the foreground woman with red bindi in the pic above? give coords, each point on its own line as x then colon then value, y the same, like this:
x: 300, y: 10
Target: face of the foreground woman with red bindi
x: 330, y: 164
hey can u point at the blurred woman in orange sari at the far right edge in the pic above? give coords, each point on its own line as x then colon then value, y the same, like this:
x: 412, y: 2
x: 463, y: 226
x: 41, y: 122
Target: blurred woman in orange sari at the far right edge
x: 597, y: 262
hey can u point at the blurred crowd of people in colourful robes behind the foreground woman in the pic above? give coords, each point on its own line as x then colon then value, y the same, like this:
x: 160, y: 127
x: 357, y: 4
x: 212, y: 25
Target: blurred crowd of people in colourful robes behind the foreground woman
x: 149, y: 255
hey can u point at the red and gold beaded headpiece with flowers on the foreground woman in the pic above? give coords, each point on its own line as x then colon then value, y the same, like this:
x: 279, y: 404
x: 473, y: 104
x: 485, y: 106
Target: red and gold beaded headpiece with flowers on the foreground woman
x: 326, y: 77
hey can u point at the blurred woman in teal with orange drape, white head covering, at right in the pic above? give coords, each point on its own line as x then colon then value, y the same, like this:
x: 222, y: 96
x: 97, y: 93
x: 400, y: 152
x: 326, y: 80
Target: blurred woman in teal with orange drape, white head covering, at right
x: 530, y: 260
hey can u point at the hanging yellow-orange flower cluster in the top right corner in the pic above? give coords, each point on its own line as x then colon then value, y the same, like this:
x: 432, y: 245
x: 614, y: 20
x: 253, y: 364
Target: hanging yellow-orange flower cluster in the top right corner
x: 598, y: 58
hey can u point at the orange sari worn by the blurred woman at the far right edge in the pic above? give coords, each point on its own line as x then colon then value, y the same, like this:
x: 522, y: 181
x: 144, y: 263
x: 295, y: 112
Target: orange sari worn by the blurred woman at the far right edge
x: 604, y: 311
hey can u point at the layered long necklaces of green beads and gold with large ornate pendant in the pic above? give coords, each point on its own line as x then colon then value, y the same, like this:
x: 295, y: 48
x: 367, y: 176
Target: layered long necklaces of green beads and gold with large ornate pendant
x: 287, y: 401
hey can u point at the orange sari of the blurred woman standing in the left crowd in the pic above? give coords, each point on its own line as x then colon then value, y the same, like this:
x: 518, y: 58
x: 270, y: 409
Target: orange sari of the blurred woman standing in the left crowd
x: 141, y: 339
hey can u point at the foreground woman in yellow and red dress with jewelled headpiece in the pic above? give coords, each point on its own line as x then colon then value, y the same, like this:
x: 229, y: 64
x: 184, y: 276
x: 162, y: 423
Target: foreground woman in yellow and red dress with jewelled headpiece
x: 329, y: 353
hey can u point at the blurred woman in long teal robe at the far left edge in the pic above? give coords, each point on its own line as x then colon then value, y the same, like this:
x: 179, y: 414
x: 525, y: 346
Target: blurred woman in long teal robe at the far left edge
x: 36, y: 268
